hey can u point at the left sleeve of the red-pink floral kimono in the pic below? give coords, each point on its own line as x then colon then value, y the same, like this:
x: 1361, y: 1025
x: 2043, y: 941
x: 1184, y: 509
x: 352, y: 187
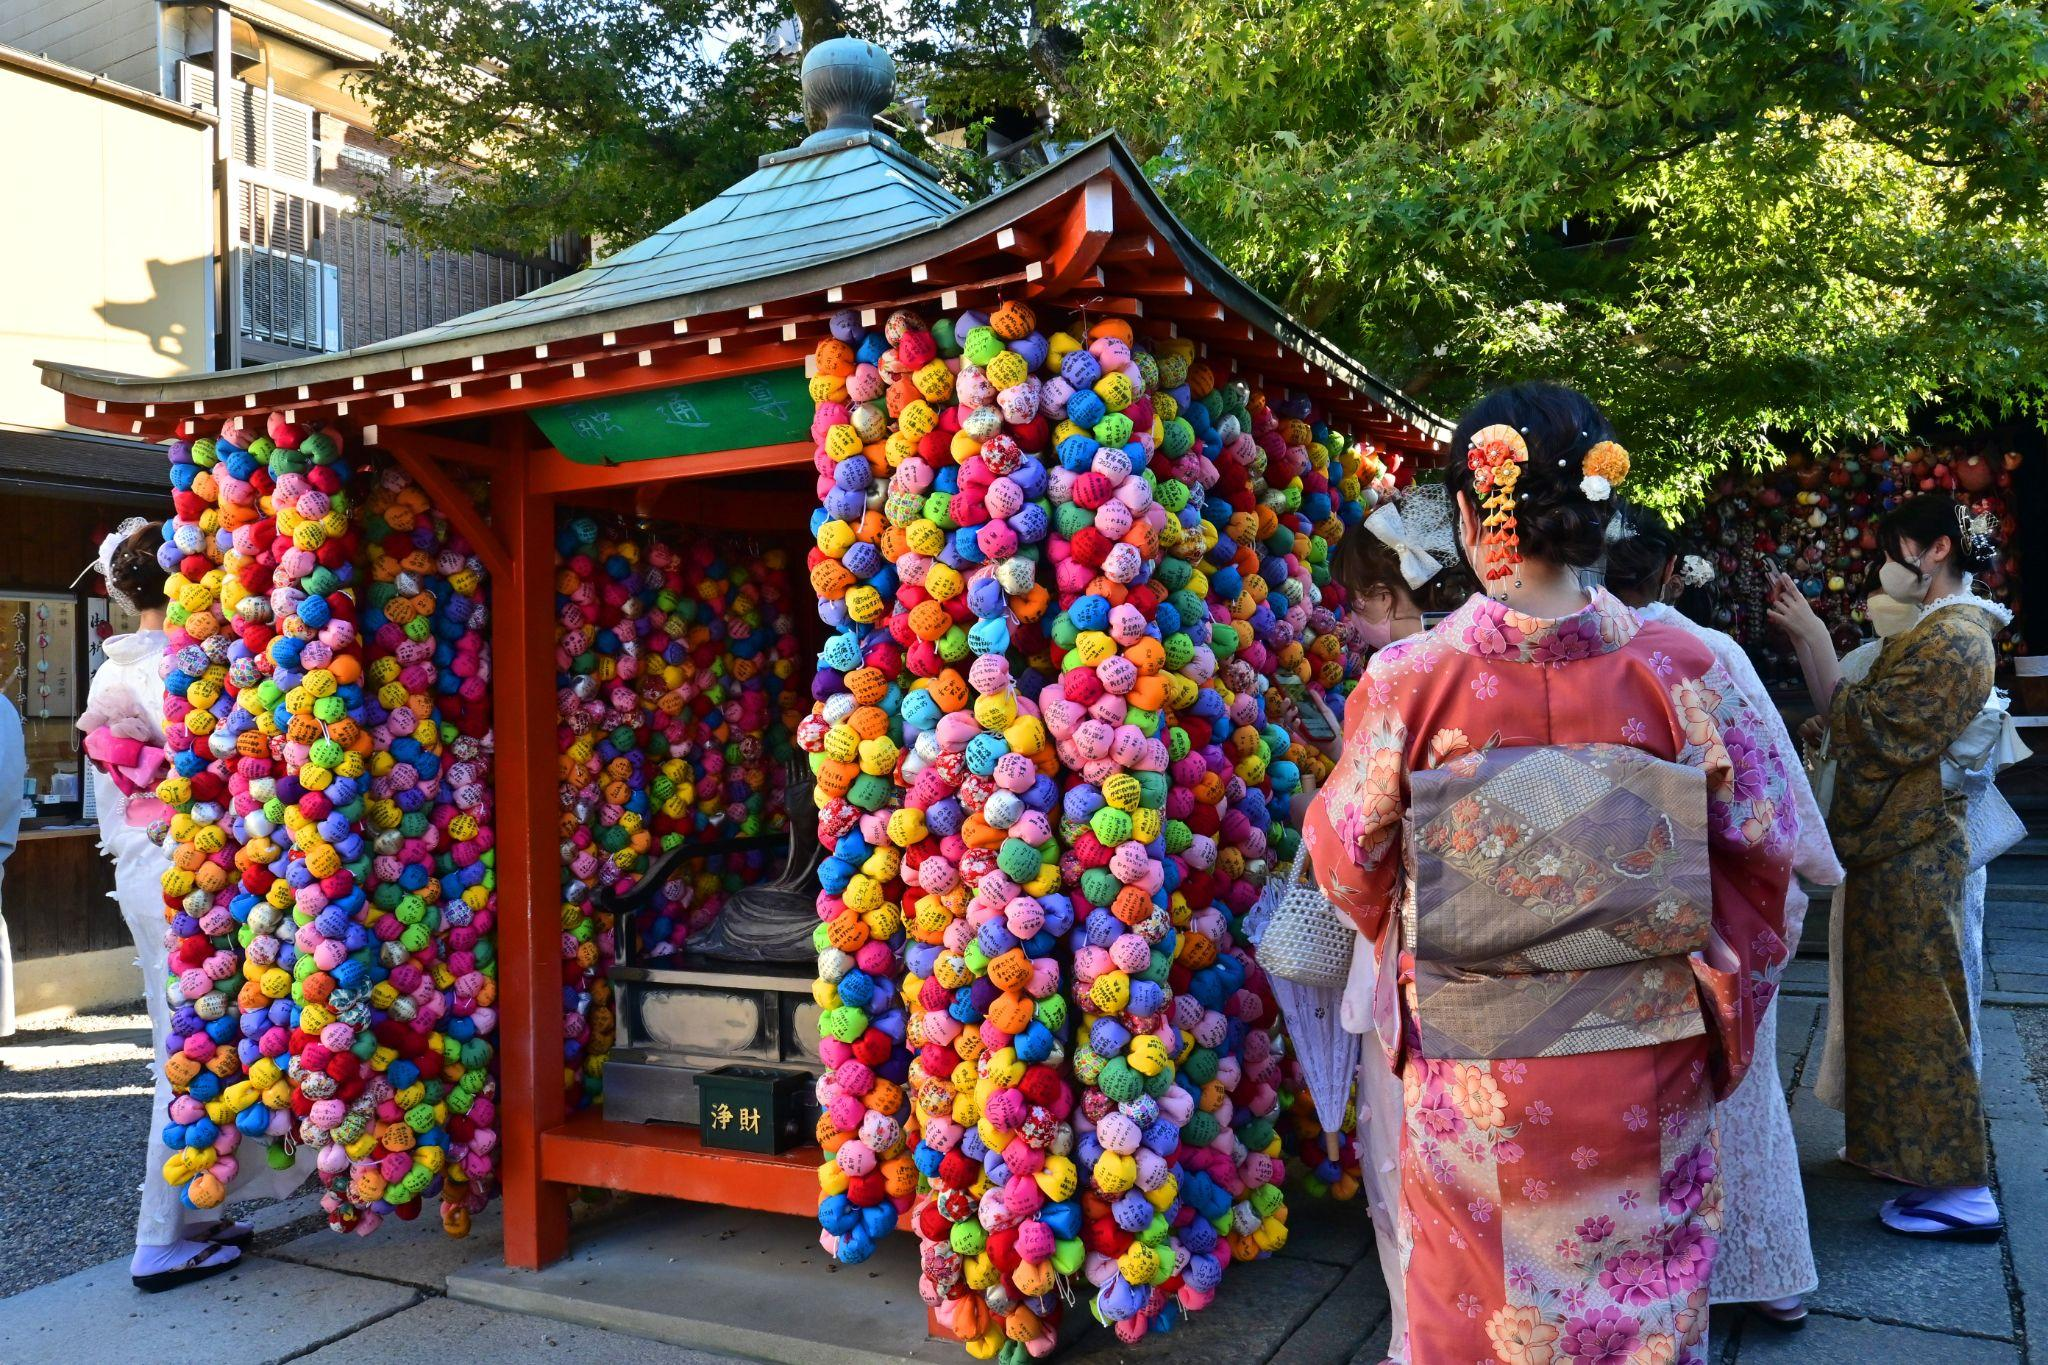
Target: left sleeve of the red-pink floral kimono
x: 1353, y: 830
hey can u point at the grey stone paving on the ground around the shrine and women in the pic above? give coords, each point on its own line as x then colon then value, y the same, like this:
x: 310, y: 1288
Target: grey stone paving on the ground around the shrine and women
x: 712, y: 1280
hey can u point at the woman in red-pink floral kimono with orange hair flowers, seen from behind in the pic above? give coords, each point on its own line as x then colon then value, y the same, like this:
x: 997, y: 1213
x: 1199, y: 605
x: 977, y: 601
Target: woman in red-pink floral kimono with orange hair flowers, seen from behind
x: 1570, y: 848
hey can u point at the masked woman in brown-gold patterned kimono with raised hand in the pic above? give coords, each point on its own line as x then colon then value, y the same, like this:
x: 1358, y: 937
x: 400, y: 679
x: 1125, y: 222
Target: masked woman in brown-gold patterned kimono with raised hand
x: 1916, y: 1112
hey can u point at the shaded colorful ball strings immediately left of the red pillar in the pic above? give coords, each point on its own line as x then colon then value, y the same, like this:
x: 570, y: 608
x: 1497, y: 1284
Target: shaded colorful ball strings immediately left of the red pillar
x: 431, y: 875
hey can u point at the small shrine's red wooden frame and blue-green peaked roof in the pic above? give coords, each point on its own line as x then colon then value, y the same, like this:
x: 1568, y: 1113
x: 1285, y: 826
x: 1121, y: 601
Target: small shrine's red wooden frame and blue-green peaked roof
x: 669, y: 382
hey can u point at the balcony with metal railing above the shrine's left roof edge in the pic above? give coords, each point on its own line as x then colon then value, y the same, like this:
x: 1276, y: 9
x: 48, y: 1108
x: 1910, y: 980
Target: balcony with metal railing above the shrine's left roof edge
x: 321, y: 275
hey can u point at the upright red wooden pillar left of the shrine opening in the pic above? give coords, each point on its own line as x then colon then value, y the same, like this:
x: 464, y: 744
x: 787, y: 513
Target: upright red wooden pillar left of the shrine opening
x: 529, y: 891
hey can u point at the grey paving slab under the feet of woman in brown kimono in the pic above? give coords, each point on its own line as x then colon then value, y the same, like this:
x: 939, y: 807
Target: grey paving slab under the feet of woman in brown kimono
x: 1873, y: 1274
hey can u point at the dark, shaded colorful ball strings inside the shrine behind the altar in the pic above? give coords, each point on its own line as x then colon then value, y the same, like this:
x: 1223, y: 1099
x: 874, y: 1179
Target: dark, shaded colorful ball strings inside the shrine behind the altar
x: 675, y: 662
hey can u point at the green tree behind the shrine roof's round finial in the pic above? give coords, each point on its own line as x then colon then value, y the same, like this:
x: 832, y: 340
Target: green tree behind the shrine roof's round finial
x: 517, y: 124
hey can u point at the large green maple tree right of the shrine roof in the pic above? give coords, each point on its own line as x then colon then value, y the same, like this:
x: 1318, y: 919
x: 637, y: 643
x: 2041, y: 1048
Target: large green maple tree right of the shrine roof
x: 1736, y: 222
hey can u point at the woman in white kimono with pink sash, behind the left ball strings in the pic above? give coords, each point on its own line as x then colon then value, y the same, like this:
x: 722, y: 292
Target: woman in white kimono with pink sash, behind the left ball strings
x: 124, y: 725
